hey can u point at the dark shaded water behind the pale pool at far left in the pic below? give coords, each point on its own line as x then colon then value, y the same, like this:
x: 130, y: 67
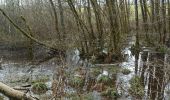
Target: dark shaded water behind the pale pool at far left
x: 19, y: 52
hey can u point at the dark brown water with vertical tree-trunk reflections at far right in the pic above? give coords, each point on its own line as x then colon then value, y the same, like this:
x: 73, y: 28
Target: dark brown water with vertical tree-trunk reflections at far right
x: 154, y: 74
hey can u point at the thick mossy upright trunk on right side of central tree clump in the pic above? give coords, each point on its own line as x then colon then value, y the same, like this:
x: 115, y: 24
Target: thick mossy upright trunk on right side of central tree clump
x: 114, y: 26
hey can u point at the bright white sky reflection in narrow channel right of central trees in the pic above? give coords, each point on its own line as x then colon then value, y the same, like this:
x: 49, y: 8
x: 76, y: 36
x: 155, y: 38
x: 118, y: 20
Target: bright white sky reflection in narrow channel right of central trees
x: 122, y: 79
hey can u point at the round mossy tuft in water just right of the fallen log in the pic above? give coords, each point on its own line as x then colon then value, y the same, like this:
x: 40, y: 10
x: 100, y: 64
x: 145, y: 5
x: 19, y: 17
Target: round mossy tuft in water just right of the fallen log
x: 39, y: 88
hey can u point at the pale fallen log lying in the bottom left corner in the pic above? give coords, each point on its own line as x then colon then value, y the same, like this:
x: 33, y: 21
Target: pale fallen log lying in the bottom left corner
x: 14, y: 94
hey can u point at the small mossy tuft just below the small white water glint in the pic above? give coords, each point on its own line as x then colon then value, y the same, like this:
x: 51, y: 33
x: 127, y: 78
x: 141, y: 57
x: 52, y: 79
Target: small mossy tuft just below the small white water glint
x: 104, y: 79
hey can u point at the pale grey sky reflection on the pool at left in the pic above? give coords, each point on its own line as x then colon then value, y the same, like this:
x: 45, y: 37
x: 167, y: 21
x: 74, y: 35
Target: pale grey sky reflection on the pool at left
x: 18, y: 72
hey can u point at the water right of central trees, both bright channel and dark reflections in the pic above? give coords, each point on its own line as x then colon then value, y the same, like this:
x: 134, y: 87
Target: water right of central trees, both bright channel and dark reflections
x: 153, y: 68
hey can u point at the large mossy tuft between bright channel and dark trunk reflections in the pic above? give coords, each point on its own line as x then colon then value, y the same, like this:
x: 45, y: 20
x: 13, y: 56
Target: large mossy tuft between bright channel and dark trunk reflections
x: 136, y: 89
